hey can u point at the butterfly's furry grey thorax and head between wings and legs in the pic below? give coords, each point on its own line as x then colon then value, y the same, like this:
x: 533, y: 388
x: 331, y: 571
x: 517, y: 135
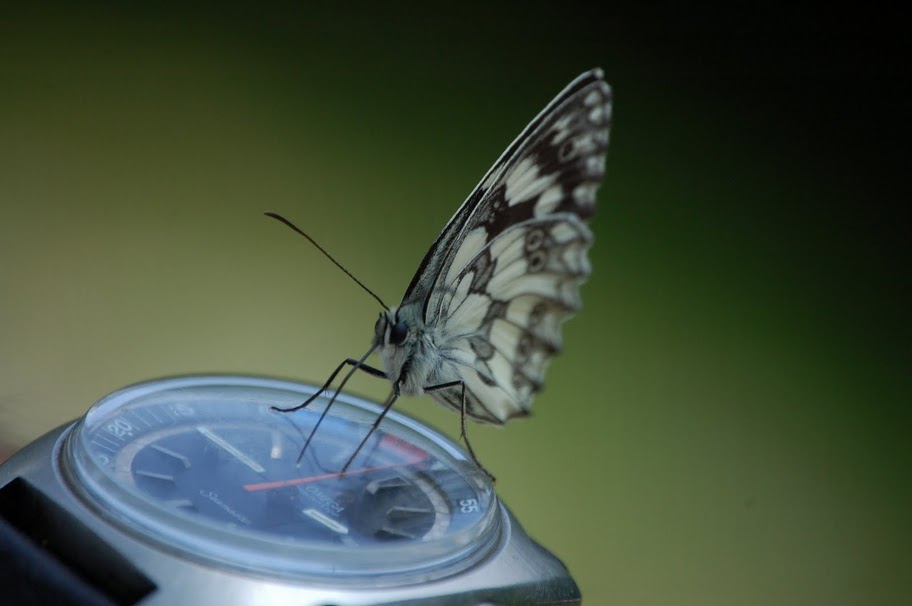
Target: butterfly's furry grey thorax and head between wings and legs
x: 410, y: 356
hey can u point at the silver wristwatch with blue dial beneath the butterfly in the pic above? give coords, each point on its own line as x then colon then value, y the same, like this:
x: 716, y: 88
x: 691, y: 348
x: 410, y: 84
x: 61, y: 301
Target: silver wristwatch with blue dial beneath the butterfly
x: 194, y: 490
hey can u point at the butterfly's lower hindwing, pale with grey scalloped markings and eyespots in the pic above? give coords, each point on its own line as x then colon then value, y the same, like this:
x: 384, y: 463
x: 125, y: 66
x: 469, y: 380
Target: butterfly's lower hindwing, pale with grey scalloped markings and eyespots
x: 504, y: 311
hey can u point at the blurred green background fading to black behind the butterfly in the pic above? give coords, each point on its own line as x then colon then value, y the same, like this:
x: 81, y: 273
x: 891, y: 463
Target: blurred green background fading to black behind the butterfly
x: 728, y: 423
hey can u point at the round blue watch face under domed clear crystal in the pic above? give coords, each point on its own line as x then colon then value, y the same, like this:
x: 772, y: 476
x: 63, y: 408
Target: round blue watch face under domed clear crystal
x: 204, y: 465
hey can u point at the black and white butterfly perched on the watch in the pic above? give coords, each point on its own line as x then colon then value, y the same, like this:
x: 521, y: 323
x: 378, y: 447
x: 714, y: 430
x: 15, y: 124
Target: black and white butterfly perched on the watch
x: 481, y: 318
